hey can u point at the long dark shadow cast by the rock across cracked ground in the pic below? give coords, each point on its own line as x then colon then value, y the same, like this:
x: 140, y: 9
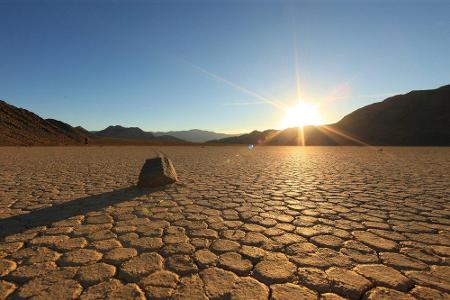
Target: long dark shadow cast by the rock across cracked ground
x: 47, y: 216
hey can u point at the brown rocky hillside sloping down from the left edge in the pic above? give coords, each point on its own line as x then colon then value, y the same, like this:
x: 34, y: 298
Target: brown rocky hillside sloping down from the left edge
x: 21, y: 127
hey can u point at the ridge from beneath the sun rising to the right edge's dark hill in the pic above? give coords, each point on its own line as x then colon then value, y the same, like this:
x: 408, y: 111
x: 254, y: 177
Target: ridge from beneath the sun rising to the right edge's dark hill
x: 418, y: 118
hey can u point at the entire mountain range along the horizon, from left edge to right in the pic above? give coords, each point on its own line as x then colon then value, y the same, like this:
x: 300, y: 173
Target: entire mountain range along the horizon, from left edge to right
x: 418, y: 118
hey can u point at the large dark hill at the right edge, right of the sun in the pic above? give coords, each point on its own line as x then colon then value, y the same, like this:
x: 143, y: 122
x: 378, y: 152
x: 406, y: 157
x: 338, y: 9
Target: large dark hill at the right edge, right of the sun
x: 415, y: 118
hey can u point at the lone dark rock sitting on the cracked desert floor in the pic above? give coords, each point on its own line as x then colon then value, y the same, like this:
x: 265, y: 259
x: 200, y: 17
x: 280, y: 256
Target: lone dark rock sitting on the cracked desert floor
x: 157, y: 171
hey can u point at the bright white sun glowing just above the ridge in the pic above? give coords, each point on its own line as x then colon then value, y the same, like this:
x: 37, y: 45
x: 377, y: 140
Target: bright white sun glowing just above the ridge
x: 300, y: 115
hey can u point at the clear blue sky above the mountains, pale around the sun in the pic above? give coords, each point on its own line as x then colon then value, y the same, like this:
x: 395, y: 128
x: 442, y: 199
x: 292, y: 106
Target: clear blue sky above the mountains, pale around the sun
x: 228, y: 66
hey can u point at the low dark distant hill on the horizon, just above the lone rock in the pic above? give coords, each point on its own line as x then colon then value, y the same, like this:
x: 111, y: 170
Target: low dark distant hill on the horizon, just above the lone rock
x: 135, y: 133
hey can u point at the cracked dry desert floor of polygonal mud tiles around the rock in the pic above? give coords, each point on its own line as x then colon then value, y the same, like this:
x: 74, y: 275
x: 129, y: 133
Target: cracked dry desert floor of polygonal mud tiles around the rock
x: 272, y: 222
